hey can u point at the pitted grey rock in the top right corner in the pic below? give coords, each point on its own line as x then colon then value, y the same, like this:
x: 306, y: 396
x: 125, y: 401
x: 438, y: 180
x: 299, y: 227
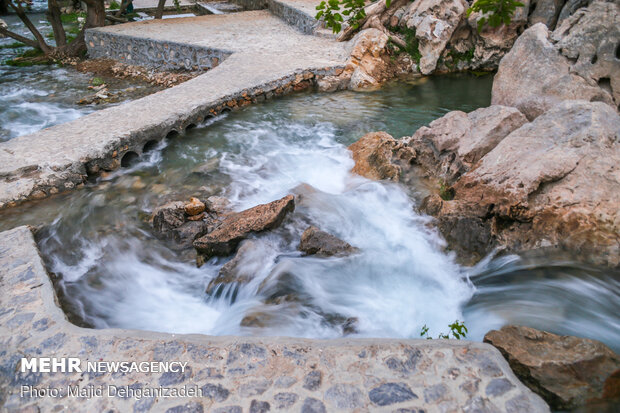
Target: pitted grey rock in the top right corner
x: 592, y: 37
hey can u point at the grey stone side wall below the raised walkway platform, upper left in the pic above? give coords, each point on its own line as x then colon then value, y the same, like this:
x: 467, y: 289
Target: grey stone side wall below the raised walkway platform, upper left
x: 165, y: 55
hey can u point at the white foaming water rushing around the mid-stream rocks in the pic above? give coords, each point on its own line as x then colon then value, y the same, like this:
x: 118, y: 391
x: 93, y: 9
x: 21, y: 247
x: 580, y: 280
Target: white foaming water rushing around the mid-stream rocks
x: 399, y: 281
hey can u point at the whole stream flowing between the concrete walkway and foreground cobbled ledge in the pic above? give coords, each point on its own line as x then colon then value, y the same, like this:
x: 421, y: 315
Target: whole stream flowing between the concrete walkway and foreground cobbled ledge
x: 113, y: 272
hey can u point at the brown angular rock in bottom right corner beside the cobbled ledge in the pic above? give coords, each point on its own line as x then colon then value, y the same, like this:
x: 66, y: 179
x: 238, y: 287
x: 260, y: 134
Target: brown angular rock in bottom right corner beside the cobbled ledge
x: 566, y: 371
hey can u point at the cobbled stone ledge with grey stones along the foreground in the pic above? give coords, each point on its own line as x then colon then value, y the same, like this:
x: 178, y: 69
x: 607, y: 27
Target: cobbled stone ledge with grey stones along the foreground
x: 238, y: 374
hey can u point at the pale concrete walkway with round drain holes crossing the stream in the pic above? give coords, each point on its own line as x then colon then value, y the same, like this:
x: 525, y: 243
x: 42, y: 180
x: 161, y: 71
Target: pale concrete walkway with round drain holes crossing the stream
x: 254, y: 55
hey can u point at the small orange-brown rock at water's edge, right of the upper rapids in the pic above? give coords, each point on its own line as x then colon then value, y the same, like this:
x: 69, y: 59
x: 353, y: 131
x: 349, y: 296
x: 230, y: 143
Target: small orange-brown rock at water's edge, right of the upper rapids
x: 378, y: 155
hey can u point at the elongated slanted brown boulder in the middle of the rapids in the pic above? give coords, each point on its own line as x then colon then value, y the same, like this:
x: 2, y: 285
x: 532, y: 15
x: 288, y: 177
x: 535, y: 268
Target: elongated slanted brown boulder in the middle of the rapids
x: 236, y: 227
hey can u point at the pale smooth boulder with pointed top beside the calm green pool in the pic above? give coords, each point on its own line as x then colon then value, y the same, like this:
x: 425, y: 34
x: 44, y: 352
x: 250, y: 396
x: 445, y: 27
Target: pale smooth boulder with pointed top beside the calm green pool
x: 535, y: 77
